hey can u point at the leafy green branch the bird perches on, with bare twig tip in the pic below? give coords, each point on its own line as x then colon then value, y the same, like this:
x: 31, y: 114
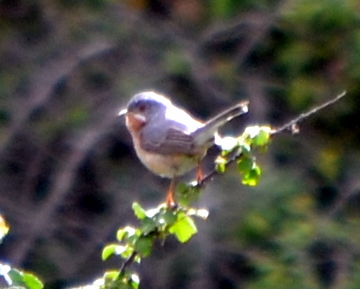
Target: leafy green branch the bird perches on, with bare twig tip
x: 135, y: 243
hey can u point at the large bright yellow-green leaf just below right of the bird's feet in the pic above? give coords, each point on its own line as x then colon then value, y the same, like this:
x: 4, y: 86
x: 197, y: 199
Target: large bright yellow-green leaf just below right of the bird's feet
x: 184, y: 228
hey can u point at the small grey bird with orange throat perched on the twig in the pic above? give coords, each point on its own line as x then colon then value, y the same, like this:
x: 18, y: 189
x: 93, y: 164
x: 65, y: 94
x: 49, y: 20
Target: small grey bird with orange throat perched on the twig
x: 167, y: 139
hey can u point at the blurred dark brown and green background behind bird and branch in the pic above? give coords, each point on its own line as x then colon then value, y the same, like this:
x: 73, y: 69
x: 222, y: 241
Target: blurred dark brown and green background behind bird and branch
x: 68, y: 172
